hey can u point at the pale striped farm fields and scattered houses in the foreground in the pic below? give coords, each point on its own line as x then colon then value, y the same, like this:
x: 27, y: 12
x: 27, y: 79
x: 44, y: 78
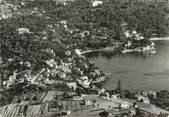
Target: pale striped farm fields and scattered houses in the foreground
x: 103, y: 103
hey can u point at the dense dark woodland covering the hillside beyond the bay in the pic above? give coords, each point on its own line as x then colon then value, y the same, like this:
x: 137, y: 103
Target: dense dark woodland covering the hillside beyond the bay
x: 147, y: 17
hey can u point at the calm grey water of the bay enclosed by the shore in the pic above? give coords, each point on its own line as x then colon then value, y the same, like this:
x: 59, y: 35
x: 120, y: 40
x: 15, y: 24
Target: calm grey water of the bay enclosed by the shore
x: 135, y: 70
